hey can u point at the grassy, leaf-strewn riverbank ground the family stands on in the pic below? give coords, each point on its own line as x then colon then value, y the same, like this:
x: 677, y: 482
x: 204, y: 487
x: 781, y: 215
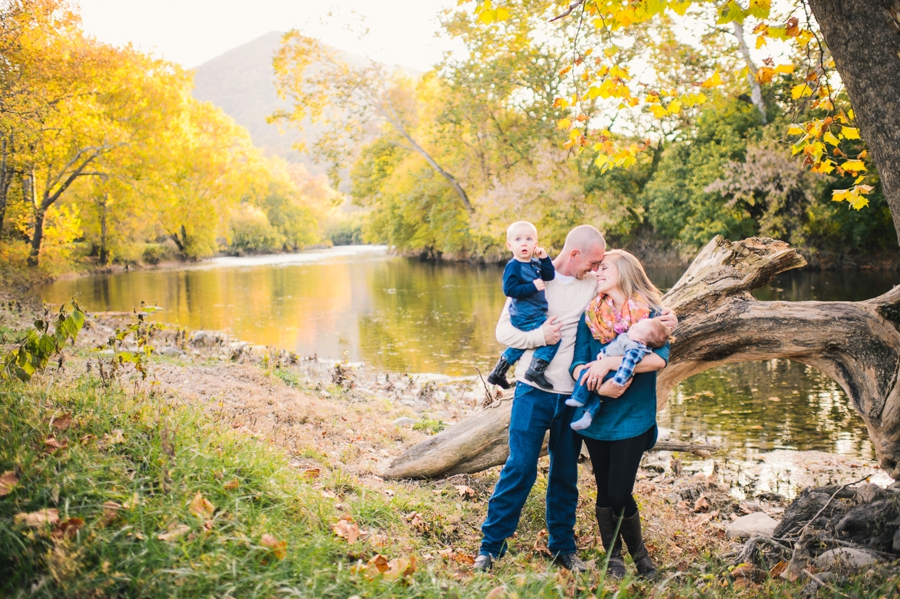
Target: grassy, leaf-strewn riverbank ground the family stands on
x: 229, y: 479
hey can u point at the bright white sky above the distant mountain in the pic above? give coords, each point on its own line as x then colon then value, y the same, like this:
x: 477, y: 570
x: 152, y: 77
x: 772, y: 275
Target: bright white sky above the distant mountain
x: 191, y: 32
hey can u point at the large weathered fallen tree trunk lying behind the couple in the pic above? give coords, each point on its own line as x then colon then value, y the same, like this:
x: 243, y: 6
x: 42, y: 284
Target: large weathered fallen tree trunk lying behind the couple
x: 856, y: 343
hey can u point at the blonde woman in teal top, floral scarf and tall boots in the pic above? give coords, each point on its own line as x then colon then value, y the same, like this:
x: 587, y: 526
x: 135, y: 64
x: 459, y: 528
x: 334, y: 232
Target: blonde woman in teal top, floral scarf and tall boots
x: 625, y: 424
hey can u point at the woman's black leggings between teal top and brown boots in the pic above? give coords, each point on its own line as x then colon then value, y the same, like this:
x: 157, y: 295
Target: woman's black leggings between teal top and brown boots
x: 615, y: 468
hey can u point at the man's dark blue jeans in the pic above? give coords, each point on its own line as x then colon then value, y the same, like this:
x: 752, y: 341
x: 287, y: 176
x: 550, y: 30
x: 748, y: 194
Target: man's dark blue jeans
x: 535, y: 412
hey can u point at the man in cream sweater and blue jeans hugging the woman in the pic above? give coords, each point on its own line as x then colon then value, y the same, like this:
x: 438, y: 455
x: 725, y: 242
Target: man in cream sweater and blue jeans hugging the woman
x: 535, y: 411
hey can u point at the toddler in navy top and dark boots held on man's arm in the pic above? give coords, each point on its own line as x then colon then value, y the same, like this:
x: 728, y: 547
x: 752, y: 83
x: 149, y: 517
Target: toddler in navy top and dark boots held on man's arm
x: 523, y: 283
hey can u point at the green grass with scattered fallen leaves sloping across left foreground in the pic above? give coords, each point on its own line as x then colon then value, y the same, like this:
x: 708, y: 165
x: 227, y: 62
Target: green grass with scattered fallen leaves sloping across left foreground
x: 155, y: 457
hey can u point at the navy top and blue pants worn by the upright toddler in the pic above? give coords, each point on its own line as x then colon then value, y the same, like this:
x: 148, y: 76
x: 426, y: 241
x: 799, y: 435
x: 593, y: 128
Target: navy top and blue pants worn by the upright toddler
x: 528, y: 308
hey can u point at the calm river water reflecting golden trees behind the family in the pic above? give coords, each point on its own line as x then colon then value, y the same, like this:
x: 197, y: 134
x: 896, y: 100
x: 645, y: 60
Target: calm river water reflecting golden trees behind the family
x: 401, y: 315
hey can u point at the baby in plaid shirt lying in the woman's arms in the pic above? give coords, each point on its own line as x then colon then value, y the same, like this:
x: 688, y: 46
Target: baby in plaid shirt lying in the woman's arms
x: 642, y: 337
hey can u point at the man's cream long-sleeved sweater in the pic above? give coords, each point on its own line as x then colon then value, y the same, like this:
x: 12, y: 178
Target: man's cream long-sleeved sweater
x: 567, y: 300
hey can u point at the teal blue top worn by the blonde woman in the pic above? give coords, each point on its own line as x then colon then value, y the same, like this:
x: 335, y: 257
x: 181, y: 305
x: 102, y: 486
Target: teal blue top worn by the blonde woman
x: 629, y: 415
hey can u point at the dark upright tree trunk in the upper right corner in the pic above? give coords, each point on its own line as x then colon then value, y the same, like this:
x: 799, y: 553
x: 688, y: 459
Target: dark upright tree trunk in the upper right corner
x: 864, y: 39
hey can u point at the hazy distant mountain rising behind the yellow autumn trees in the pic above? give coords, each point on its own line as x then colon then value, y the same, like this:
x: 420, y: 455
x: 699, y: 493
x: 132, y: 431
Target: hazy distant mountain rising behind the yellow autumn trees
x: 242, y: 82
